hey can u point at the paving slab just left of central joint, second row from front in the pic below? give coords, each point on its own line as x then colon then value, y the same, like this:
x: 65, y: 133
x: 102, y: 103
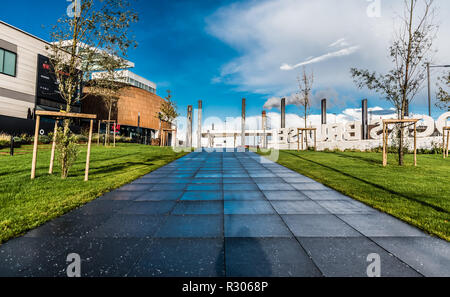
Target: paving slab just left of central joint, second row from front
x: 199, y: 226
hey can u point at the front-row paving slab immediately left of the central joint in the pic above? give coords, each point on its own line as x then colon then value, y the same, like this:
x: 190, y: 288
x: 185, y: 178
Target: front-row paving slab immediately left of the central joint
x: 181, y: 257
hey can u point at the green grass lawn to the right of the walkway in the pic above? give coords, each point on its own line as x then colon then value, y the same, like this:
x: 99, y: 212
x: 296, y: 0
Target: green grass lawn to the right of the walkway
x: 419, y: 196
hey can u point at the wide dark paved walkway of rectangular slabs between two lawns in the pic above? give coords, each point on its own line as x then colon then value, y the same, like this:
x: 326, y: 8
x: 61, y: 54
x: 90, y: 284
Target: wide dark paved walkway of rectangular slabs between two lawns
x: 225, y: 214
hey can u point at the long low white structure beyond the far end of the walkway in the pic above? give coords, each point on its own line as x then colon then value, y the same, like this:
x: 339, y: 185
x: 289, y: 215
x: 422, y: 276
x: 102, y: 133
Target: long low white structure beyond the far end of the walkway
x: 339, y: 135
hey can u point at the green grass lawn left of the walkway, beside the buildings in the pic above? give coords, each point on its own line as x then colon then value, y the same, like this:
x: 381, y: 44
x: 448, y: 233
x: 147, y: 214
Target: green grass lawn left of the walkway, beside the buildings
x: 26, y: 204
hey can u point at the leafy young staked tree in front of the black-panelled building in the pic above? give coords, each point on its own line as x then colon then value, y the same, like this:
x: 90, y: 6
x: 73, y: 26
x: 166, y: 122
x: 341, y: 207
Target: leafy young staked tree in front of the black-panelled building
x: 79, y: 41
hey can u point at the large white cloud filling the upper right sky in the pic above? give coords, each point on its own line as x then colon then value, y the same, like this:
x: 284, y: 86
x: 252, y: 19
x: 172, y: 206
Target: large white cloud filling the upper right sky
x: 270, y: 33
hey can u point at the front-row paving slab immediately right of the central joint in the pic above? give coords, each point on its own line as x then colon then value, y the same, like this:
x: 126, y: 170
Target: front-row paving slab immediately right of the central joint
x: 259, y: 257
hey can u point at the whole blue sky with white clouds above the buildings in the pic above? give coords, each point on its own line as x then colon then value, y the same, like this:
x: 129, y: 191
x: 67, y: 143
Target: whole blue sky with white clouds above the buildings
x: 221, y: 51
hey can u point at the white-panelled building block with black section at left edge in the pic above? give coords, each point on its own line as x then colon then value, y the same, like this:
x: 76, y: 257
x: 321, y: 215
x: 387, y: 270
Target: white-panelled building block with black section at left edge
x: 26, y: 82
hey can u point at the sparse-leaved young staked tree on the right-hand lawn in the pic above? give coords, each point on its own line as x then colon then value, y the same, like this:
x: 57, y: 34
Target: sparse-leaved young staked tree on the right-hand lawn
x: 409, y: 50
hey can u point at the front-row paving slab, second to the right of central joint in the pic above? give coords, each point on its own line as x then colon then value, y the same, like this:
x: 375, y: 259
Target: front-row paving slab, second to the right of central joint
x: 347, y: 257
